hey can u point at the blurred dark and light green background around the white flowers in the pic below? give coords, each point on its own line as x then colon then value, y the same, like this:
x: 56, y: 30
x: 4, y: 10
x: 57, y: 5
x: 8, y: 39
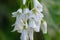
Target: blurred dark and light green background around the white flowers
x: 52, y: 16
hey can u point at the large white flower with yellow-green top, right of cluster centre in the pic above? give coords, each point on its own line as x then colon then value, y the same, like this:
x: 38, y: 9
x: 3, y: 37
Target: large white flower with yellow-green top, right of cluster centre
x: 35, y: 19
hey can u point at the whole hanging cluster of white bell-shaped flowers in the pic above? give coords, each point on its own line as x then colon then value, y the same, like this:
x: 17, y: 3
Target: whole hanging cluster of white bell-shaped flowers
x: 28, y: 21
